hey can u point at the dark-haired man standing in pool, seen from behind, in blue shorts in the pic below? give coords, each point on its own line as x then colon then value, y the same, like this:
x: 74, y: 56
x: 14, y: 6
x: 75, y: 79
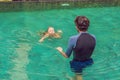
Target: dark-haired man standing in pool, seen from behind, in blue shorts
x: 82, y: 46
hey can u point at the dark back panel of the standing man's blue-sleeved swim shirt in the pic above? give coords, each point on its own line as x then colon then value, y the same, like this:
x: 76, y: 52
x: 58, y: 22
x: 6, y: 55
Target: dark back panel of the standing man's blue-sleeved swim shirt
x: 84, y: 47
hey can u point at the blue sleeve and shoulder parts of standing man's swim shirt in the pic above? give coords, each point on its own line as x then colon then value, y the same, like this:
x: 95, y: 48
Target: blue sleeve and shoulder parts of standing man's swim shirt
x: 72, y: 43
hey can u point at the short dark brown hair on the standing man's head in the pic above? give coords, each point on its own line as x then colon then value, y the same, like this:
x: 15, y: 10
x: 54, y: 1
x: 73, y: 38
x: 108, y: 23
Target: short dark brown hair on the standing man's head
x: 82, y: 23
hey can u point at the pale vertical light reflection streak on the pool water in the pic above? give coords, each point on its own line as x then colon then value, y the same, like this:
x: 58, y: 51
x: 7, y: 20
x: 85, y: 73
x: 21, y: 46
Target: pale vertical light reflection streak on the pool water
x: 20, y: 62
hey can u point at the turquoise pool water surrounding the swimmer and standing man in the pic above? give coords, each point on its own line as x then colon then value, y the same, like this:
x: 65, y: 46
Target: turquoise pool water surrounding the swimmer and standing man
x: 22, y: 57
